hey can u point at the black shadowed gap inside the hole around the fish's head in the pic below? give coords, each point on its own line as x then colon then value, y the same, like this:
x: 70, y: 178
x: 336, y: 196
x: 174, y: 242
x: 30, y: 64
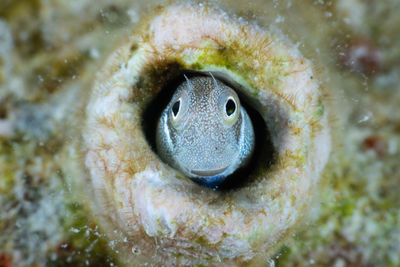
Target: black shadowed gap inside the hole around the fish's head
x: 264, y: 153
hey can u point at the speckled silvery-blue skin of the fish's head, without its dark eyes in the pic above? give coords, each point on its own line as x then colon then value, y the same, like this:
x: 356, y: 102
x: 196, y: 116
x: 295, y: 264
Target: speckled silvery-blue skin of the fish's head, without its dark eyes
x: 203, y: 141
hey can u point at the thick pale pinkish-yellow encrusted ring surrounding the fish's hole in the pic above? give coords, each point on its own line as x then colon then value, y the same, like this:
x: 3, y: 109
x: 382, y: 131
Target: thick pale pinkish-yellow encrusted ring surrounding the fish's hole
x: 167, y: 218
